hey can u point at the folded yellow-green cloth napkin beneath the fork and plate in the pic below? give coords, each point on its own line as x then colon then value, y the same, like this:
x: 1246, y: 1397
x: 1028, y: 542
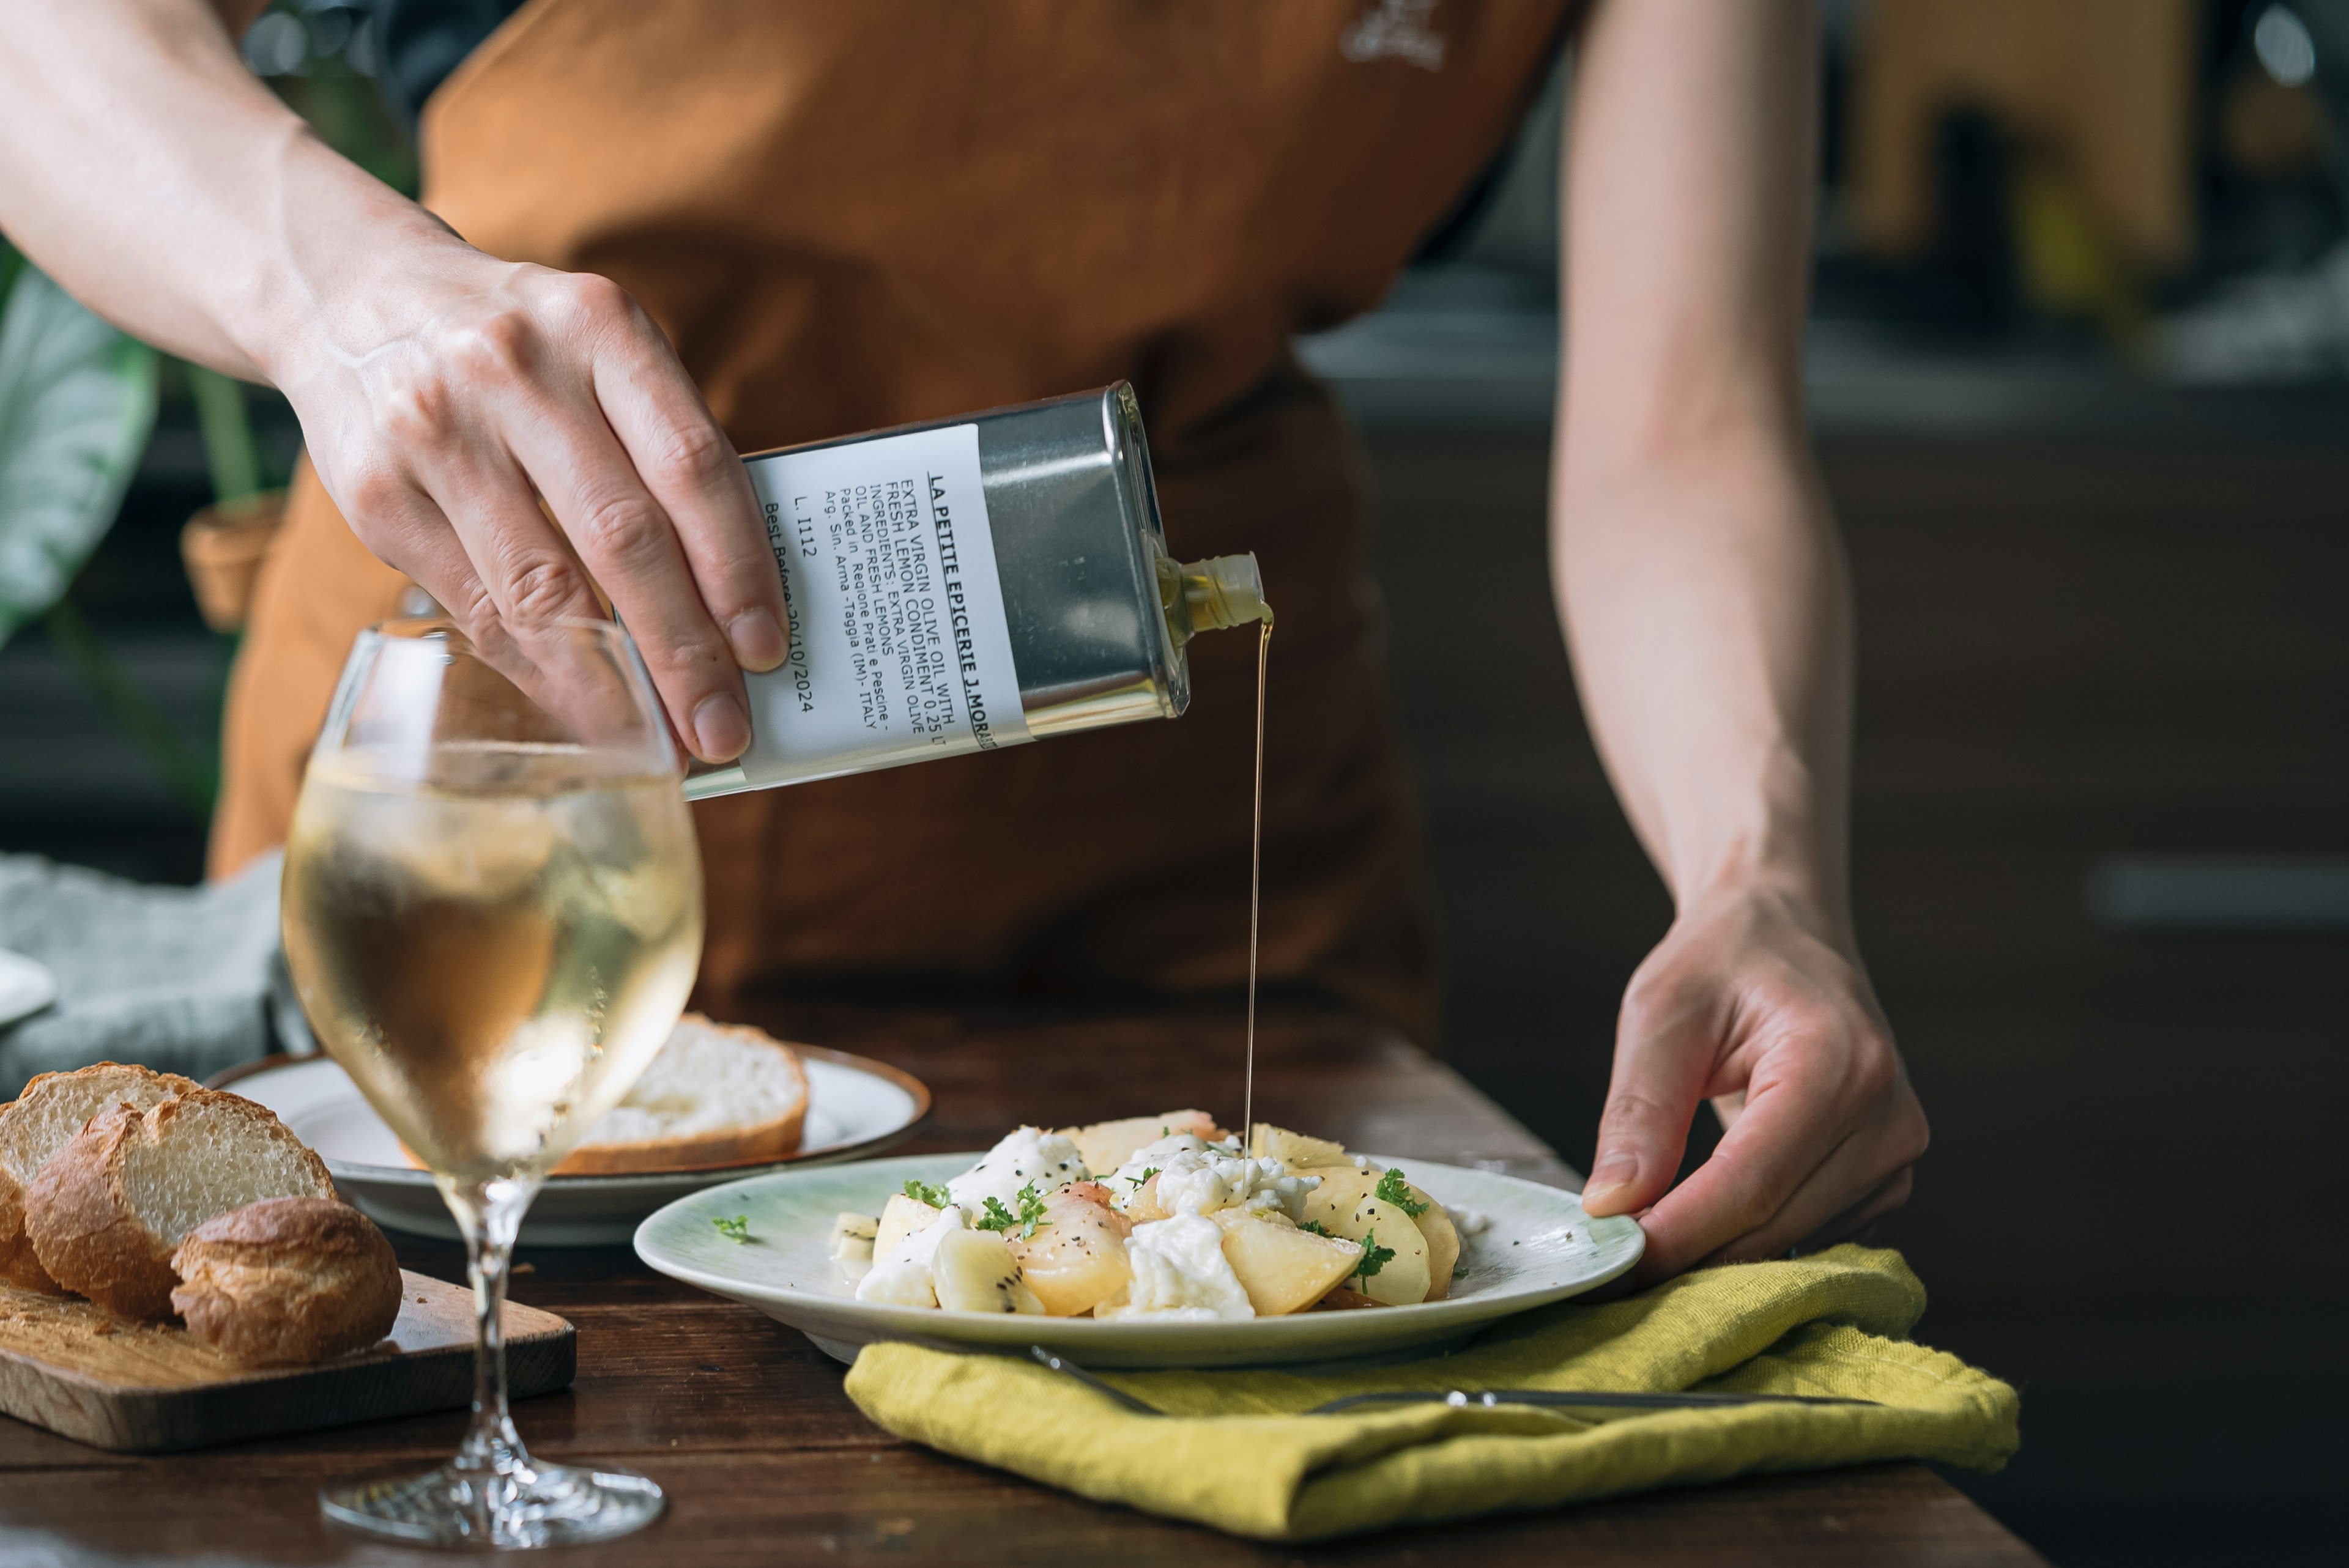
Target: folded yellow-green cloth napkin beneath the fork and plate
x: 1234, y: 1449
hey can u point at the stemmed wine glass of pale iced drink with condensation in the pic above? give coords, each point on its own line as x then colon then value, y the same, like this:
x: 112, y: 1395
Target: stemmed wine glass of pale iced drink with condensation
x: 494, y: 914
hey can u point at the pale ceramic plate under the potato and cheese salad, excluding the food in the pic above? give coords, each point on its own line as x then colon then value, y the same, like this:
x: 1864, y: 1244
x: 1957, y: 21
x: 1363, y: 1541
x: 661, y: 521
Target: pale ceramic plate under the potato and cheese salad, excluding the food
x: 1540, y: 1248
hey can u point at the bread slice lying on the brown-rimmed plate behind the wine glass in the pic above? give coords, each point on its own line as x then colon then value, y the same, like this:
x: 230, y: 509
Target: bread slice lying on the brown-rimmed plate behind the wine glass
x: 715, y: 1095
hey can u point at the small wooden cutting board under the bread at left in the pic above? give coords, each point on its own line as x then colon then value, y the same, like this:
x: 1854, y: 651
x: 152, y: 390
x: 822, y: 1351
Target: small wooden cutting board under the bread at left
x: 142, y: 1388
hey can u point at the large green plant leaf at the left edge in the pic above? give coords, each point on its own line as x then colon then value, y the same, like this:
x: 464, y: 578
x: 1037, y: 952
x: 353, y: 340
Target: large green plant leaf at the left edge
x: 76, y: 410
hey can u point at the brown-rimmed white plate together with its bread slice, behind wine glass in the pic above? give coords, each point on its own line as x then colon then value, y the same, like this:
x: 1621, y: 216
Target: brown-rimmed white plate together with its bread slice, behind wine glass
x: 718, y: 1104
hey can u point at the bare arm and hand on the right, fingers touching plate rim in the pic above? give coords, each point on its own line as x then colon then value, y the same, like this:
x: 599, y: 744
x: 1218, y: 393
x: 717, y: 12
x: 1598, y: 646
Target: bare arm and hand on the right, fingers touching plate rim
x: 1711, y: 623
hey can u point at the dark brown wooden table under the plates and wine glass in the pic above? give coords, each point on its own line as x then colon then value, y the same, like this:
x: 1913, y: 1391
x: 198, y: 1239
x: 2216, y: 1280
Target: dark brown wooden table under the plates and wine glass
x: 767, y: 1461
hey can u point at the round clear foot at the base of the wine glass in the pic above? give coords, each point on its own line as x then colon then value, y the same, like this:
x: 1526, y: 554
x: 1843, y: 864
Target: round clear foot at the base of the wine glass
x: 525, y: 1506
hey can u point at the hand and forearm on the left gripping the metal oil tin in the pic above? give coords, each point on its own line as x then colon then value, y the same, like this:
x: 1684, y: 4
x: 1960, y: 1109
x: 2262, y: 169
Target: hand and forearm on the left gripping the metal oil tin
x: 499, y: 433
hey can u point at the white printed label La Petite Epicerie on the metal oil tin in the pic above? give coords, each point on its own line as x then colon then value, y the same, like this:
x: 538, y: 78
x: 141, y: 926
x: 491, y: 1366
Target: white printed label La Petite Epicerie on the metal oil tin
x: 898, y: 640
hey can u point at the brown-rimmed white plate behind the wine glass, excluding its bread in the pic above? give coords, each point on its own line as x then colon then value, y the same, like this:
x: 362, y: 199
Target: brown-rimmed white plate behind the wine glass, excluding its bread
x: 856, y: 1107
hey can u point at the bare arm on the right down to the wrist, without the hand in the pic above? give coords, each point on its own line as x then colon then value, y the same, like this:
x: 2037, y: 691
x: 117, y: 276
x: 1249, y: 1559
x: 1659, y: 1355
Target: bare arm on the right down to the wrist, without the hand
x: 1697, y: 567
